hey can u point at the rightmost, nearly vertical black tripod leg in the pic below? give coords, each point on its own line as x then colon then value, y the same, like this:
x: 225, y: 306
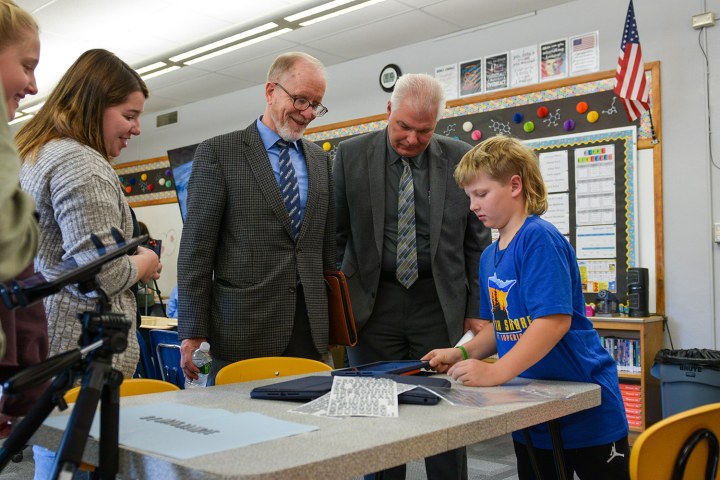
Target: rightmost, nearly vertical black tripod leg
x: 109, y: 434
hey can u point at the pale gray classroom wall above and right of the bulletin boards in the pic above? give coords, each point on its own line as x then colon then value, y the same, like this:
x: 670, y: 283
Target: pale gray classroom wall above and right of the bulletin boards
x: 690, y: 202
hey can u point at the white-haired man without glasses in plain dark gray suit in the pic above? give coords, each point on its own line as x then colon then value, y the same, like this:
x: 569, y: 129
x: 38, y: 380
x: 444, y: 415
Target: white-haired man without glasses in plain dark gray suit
x: 408, y: 244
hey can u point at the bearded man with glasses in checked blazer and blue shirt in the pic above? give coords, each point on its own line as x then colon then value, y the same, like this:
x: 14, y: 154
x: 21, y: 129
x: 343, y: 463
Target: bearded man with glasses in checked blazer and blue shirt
x: 260, y: 231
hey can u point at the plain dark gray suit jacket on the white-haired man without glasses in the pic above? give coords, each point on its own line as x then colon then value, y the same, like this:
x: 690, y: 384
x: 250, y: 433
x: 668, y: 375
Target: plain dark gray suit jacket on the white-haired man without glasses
x: 457, y: 237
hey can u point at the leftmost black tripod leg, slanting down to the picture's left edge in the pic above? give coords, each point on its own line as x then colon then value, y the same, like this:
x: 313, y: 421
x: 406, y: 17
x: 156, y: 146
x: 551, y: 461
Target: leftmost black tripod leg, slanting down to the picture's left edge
x: 32, y: 421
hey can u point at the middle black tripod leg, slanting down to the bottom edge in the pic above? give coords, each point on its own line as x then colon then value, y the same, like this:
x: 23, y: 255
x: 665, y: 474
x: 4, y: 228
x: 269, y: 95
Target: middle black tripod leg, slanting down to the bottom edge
x: 73, y: 442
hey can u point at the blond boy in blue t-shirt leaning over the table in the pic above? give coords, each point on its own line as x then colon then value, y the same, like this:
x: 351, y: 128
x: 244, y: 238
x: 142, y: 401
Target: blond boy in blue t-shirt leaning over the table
x: 531, y: 291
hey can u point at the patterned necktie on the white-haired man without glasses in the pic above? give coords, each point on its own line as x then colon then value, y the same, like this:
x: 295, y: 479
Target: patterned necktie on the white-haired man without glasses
x: 406, y: 271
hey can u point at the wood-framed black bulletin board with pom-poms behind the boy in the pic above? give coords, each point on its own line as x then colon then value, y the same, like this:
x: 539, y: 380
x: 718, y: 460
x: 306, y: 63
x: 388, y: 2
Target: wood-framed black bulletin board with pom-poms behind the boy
x: 510, y: 111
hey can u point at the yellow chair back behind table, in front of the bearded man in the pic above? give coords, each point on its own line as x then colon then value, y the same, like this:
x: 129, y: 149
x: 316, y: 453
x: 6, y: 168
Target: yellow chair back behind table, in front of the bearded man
x: 267, y: 367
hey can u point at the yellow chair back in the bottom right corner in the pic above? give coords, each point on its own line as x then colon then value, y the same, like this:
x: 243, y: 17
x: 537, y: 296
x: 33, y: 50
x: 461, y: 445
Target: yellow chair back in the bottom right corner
x: 674, y: 448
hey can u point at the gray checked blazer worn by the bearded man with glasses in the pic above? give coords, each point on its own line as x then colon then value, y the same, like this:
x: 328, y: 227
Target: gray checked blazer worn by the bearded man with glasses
x: 238, y: 261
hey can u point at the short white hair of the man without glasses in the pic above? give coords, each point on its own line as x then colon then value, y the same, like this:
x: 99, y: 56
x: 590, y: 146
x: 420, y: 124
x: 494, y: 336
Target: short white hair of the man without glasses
x: 425, y: 93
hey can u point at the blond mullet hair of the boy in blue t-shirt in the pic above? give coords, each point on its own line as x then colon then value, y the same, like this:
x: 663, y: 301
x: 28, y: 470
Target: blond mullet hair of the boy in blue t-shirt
x: 500, y: 158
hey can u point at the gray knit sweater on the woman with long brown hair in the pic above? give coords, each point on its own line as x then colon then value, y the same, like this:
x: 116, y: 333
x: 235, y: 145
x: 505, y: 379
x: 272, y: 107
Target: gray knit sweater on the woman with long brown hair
x: 77, y: 194
